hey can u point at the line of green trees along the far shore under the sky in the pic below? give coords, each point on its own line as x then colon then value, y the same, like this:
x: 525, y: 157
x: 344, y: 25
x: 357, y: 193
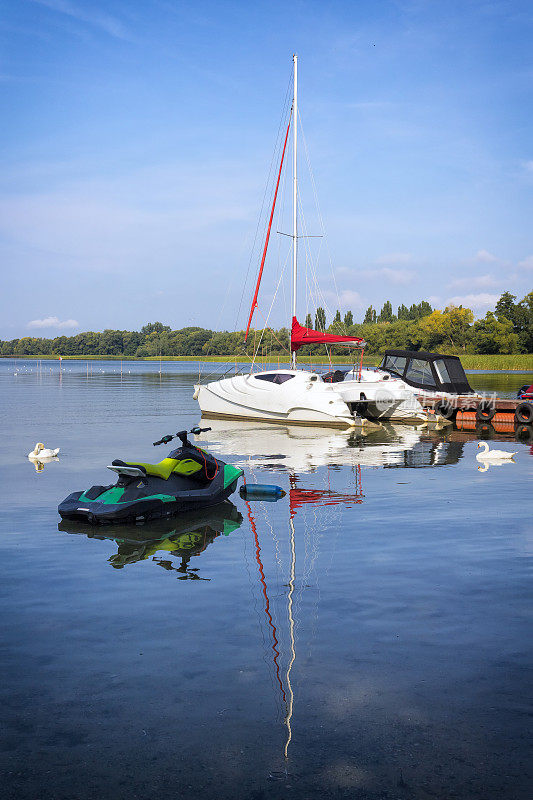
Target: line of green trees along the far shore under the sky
x: 507, y: 329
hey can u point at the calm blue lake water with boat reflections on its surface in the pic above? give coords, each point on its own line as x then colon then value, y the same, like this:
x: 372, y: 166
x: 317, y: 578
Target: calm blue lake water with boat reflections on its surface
x: 367, y: 636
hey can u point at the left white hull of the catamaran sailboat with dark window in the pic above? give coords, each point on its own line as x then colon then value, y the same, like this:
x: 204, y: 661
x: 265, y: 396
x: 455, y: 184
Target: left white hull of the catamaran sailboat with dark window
x: 299, y: 398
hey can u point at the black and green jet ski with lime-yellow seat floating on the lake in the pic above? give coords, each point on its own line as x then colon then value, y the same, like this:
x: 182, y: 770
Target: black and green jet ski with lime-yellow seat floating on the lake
x: 189, y: 479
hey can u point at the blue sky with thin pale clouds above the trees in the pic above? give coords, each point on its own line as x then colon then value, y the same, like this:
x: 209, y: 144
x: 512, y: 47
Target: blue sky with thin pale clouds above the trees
x: 137, y: 139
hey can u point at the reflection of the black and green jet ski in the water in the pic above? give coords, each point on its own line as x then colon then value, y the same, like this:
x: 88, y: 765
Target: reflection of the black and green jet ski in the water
x: 180, y: 537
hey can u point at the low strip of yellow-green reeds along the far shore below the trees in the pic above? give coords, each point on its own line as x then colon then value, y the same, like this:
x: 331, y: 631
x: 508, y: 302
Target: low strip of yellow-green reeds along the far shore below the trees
x: 512, y: 363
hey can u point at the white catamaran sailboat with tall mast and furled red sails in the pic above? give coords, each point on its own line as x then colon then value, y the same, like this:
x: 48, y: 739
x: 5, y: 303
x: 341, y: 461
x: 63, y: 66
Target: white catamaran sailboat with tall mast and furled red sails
x: 301, y: 396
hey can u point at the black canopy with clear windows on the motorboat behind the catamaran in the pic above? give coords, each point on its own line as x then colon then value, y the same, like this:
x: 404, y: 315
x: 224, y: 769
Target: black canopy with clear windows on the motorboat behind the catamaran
x: 431, y: 371
